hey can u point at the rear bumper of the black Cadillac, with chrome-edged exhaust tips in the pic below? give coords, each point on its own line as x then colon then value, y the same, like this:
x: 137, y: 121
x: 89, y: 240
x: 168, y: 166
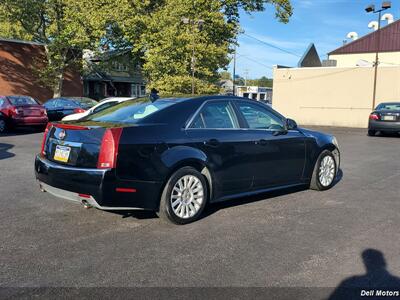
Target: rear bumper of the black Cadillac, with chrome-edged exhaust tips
x: 98, y: 188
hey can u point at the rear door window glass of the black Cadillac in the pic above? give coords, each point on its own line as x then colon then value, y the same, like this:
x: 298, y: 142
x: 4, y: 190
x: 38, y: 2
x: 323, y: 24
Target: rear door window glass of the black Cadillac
x: 215, y: 115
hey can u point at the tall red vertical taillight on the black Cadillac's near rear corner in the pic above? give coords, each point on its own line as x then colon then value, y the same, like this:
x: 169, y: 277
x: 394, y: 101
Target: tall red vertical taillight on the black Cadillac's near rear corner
x: 109, y: 148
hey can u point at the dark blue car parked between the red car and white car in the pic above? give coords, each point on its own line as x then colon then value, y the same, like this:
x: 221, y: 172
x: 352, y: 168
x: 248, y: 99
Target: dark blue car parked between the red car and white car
x: 58, y: 108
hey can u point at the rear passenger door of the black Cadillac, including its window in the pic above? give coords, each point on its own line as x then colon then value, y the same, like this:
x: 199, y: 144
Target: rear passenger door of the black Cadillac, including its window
x: 215, y: 130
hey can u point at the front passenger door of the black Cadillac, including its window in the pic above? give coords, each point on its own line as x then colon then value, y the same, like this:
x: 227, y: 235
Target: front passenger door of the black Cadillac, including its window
x: 279, y: 154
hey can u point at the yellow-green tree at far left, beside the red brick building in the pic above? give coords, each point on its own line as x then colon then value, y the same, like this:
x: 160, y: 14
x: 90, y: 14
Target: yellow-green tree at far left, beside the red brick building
x: 66, y: 27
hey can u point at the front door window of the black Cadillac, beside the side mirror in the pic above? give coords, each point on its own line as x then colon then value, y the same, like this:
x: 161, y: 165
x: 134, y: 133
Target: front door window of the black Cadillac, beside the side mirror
x: 258, y: 117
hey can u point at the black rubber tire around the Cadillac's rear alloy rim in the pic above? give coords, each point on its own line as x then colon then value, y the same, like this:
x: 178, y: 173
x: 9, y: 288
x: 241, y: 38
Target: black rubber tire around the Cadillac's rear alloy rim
x: 166, y: 211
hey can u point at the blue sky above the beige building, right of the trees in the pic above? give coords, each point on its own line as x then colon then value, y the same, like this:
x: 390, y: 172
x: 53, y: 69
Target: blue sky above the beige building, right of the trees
x: 325, y: 23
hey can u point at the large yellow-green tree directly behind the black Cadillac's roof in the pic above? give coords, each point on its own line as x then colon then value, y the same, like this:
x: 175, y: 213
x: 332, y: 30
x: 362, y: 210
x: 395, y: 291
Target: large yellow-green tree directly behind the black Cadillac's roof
x: 171, y: 50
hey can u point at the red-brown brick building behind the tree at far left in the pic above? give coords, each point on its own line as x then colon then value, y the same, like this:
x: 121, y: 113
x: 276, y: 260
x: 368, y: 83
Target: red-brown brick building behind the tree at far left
x: 18, y: 59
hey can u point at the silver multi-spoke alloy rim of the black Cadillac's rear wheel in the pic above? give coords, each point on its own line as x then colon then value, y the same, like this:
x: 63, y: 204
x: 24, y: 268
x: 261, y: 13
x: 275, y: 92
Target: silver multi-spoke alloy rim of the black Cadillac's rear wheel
x: 187, y: 196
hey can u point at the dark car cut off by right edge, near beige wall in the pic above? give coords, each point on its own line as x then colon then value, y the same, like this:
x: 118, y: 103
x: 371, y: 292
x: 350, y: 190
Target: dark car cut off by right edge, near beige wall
x: 385, y: 119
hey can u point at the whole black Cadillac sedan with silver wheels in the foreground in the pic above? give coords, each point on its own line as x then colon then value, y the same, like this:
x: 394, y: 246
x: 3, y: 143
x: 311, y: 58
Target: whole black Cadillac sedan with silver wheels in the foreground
x: 174, y: 156
